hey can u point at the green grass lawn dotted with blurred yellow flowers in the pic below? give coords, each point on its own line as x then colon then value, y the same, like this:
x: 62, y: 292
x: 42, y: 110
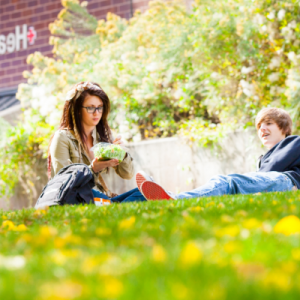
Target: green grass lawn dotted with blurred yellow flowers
x: 230, y: 247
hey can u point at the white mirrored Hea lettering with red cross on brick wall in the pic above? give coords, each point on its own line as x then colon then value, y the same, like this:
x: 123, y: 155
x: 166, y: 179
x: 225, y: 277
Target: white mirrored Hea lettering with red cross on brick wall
x: 13, y: 41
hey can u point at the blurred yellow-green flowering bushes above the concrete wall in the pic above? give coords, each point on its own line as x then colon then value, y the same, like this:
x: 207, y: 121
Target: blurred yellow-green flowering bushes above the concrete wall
x: 168, y: 71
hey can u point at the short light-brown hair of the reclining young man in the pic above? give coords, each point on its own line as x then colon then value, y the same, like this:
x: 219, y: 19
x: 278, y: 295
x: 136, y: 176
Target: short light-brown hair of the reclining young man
x: 278, y: 115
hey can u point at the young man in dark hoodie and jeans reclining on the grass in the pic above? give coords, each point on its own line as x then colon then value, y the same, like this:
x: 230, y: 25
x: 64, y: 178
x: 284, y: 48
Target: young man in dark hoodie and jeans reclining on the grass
x: 278, y: 169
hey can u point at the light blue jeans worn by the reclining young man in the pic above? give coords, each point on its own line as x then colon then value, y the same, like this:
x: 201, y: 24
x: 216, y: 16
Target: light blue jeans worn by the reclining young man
x: 249, y: 183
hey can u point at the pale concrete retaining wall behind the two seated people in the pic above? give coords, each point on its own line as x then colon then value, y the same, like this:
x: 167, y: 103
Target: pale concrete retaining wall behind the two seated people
x: 173, y: 163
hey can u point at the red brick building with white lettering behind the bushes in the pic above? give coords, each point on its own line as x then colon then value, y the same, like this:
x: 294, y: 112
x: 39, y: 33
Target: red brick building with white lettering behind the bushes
x: 24, y: 30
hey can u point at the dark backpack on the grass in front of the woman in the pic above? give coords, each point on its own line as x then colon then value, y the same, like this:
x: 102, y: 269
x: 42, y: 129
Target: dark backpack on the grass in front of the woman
x: 71, y: 185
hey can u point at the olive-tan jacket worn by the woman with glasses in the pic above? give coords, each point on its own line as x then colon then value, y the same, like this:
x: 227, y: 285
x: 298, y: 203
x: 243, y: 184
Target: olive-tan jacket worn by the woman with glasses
x: 64, y: 151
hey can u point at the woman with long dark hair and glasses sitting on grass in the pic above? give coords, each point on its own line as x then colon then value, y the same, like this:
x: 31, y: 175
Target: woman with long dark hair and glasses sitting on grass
x: 83, y: 125
